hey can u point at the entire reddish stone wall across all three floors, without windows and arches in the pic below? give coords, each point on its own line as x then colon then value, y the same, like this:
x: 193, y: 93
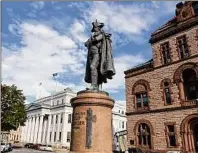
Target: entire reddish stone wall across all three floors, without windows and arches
x: 154, y: 76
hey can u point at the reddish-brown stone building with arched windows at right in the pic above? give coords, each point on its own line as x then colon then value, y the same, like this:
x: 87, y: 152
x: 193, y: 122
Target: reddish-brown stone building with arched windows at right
x: 162, y: 94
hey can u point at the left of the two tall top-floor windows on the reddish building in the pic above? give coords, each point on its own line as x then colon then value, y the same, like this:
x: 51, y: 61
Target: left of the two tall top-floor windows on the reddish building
x: 165, y: 53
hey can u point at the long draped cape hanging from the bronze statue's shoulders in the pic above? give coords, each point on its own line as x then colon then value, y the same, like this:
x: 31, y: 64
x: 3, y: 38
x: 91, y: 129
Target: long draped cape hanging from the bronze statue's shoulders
x: 106, y: 67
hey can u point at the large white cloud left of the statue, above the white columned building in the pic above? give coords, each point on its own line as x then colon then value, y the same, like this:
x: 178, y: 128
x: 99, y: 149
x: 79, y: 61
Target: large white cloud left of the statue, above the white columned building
x: 44, y: 52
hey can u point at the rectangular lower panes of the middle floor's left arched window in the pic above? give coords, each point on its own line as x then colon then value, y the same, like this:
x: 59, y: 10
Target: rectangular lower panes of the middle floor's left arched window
x: 142, y: 100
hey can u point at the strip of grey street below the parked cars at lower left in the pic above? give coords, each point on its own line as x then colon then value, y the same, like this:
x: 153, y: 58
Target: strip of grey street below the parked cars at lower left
x: 27, y: 150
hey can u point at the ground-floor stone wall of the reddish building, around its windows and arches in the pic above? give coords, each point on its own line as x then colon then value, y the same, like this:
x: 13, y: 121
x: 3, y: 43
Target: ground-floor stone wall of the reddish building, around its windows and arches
x: 157, y: 121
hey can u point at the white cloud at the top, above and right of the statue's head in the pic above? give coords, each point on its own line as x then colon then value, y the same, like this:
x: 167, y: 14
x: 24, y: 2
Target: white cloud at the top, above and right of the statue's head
x: 125, y: 19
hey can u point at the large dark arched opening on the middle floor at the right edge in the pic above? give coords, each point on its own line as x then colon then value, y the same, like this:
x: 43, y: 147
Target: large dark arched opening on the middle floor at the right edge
x: 190, y: 82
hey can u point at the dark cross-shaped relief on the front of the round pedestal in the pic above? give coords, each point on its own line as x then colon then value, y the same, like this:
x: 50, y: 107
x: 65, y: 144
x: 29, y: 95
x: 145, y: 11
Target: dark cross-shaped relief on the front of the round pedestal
x: 90, y: 118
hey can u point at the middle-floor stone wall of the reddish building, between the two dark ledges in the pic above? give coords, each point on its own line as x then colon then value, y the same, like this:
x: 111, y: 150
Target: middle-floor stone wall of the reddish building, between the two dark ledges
x: 155, y: 78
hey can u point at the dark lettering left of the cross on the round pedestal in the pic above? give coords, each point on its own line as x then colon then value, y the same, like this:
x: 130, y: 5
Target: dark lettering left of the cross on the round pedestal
x: 78, y: 120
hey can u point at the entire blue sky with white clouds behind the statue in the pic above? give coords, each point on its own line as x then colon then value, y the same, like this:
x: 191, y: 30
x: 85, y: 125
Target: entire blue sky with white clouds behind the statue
x: 42, y: 38
